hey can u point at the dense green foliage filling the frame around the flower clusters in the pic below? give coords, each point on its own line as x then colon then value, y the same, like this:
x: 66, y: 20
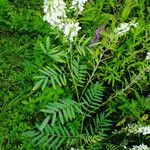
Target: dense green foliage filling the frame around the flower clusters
x: 57, y: 95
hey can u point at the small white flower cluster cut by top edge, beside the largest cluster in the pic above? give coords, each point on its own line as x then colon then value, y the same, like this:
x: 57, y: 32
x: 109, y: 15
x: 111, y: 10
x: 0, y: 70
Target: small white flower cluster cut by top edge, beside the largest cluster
x: 78, y: 5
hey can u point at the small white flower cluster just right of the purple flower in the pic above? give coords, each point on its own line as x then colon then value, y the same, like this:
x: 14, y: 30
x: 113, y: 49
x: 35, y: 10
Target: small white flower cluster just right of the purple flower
x: 124, y: 27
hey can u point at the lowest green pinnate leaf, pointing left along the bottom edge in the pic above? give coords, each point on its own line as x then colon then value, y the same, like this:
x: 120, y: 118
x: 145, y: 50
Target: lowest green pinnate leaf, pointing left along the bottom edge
x: 52, y: 137
